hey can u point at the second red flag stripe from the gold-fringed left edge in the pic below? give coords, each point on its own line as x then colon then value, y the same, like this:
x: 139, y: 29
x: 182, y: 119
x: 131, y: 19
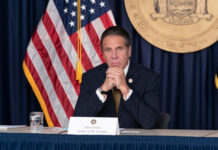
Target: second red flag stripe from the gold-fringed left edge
x: 52, y: 75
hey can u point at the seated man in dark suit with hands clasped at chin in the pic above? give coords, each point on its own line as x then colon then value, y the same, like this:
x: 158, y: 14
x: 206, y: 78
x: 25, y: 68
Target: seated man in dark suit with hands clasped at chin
x: 138, y: 87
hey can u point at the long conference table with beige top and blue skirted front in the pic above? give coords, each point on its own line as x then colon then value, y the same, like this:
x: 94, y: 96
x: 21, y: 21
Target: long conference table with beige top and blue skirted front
x: 129, y: 139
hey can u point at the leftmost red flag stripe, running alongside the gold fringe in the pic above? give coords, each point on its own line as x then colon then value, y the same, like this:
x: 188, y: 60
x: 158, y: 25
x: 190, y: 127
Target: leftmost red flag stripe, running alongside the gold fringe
x: 41, y: 88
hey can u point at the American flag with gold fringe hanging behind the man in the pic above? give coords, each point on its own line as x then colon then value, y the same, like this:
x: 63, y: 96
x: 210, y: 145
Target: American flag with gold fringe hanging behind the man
x: 50, y: 60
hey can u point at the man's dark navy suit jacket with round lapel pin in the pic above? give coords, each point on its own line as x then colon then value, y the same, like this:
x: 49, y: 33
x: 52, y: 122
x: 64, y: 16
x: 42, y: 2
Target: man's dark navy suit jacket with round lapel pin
x: 139, y: 111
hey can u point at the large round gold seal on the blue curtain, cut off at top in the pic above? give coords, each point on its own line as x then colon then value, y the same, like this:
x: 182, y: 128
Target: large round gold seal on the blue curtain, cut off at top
x: 175, y: 25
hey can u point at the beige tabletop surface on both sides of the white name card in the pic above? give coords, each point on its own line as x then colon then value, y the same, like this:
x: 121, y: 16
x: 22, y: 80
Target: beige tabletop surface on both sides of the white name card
x: 151, y: 132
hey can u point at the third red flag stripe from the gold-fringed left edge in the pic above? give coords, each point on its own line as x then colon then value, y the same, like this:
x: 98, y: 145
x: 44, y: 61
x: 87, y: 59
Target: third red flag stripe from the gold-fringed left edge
x: 60, y: 51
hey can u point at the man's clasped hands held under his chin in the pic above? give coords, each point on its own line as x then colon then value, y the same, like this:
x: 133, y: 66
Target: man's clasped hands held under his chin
x: 115, y: 77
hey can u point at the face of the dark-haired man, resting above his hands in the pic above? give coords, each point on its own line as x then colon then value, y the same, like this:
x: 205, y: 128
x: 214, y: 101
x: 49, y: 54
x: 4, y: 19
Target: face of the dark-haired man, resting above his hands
x: 116, y: 53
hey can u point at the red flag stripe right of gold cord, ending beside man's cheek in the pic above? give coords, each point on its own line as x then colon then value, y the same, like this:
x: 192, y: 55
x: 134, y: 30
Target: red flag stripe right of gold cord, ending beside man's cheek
x: 95, y: 41
